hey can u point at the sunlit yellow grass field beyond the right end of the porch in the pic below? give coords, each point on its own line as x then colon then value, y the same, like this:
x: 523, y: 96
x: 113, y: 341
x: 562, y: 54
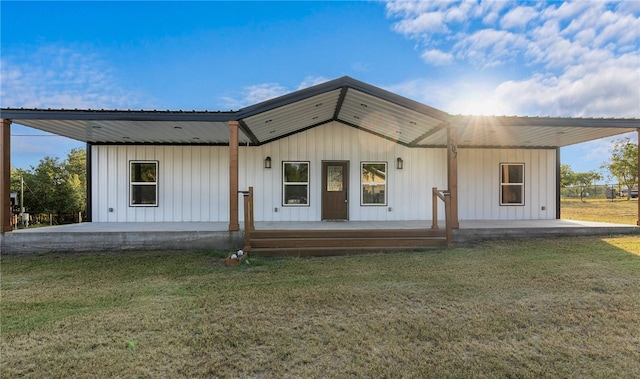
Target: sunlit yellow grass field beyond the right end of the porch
x: 619, y: 211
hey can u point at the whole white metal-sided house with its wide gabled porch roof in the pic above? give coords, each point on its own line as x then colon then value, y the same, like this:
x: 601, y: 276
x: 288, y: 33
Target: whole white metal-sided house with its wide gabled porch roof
x: 341, y: 150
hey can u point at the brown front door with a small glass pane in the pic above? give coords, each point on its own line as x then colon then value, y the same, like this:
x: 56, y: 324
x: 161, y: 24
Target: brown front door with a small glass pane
x: 335, y: 179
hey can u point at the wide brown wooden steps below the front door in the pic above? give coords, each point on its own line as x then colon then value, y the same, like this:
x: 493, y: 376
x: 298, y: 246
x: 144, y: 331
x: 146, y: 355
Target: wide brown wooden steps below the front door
x: 334, y: 242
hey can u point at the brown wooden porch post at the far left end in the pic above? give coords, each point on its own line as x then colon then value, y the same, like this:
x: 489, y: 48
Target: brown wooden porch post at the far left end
x: 5, y: 176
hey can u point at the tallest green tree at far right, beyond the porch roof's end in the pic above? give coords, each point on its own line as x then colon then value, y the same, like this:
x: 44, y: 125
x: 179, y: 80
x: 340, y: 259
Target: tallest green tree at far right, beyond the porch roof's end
x: 623, y: 163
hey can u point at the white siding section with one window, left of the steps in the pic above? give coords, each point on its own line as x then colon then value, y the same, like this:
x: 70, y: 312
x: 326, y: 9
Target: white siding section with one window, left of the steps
x: 193, y: 183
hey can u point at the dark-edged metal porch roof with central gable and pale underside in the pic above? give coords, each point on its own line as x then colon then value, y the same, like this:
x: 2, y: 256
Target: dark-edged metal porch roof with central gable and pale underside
x: 346, y: 100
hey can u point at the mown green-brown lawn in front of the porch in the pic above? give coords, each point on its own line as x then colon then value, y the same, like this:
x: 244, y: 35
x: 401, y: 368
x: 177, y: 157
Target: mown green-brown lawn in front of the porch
x: 564, y: 307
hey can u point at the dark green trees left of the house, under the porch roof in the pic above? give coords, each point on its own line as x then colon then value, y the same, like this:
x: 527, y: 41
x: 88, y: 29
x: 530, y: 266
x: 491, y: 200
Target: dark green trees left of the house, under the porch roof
x: 53, y: 186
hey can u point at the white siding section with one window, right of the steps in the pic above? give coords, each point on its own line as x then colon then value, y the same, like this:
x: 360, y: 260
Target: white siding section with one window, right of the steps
x: 479, y: 184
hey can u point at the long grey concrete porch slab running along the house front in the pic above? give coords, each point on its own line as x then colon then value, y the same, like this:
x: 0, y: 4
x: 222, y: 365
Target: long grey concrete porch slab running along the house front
x: 183, y: 236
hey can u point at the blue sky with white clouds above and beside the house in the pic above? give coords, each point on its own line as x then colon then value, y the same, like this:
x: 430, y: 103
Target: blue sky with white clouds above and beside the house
x: 572, y: 59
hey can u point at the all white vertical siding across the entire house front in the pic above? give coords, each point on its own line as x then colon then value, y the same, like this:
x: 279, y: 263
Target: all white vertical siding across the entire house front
x: 193, y: 181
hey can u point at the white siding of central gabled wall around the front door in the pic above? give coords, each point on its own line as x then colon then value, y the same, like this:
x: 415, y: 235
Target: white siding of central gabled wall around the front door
x: 408, y: 190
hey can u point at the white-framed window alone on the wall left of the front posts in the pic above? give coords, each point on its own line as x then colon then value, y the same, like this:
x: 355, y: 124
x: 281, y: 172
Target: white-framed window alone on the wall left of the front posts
x: 144, y: 183
